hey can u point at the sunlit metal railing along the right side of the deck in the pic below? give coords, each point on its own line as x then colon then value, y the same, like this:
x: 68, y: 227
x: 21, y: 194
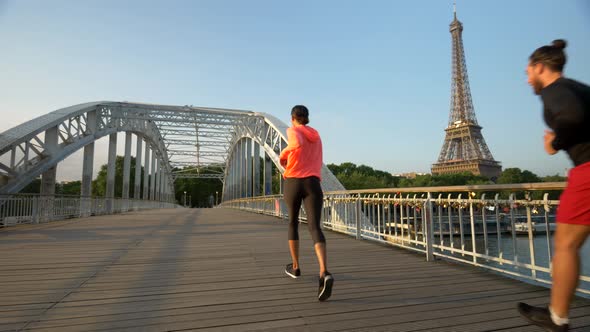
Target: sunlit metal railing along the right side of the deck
x: 504, y: 228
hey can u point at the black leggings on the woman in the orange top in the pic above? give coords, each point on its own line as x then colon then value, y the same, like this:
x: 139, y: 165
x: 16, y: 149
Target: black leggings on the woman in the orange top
x: 308, y: 191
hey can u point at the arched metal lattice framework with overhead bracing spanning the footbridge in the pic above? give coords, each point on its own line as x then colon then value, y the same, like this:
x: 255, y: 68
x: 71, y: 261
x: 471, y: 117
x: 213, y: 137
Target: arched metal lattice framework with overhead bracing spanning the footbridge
x: 180, y: 136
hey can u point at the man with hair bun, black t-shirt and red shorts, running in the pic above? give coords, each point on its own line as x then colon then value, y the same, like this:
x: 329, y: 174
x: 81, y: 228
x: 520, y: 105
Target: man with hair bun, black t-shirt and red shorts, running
x: 567, y: 112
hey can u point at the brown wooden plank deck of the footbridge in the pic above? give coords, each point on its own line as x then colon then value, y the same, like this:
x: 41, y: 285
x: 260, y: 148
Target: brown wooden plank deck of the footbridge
x: 222, y: 270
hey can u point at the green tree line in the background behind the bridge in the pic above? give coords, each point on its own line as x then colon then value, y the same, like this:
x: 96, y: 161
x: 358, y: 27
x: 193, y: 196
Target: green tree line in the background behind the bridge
x: 200, y: 192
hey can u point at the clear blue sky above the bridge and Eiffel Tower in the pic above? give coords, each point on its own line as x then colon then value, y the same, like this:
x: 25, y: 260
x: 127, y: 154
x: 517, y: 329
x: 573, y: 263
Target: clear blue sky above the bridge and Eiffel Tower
x: 375, y: 74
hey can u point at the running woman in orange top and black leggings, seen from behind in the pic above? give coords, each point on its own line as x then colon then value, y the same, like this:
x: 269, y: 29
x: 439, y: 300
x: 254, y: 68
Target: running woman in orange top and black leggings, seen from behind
x: 302, y: 159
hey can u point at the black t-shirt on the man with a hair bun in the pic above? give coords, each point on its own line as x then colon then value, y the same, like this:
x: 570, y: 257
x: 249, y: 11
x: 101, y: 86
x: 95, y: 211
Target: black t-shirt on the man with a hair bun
x: 567, y: 112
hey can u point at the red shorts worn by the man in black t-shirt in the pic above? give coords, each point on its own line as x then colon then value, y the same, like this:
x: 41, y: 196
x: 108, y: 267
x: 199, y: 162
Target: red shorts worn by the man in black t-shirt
x: 574, y: 203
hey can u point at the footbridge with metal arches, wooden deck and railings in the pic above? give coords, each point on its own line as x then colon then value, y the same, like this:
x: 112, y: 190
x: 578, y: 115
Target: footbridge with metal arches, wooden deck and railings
x: 138, y: 262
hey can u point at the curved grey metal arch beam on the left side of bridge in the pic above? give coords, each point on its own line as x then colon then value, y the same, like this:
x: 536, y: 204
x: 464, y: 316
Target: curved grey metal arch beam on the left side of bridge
x: 75, y: 132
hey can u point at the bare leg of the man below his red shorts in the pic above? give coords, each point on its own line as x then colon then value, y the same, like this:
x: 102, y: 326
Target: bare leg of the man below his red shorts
x: 568, y: 240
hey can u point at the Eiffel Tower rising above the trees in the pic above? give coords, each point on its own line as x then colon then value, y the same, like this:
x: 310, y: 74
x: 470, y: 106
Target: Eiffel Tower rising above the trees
x: 464, y: 149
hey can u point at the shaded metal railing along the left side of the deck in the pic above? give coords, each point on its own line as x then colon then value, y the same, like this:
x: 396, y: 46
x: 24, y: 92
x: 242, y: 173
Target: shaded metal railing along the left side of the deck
x: 32, y: 208
